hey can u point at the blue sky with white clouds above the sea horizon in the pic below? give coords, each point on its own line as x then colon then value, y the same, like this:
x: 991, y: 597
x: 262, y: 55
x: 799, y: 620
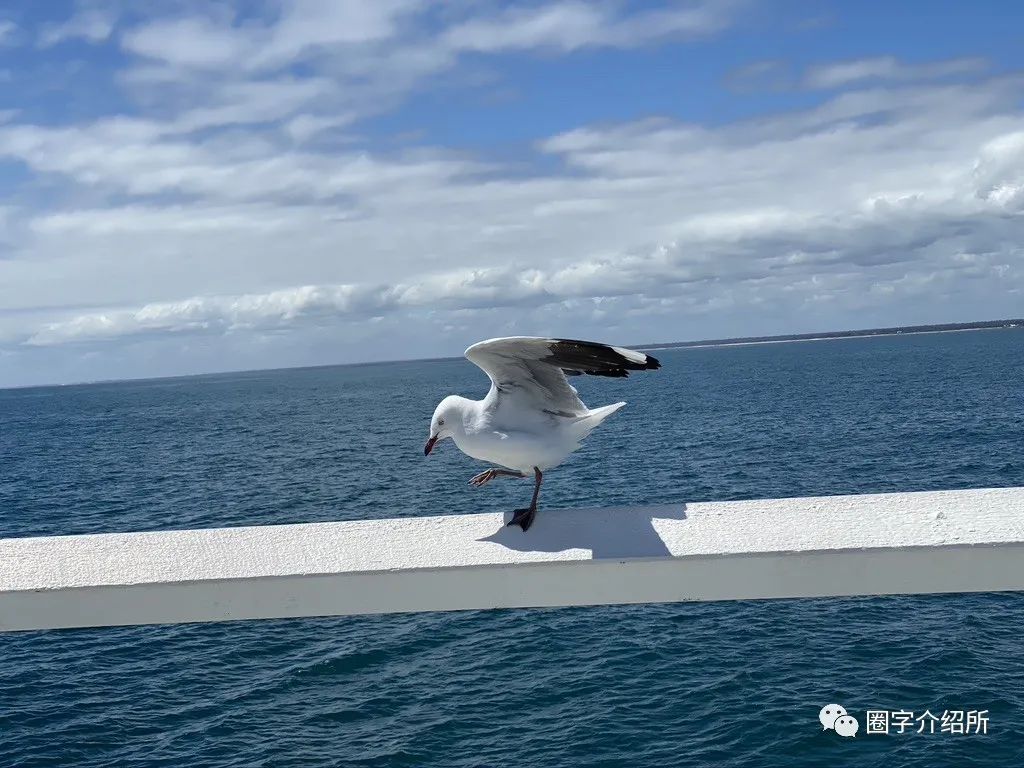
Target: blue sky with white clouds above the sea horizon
x: 194, y: 187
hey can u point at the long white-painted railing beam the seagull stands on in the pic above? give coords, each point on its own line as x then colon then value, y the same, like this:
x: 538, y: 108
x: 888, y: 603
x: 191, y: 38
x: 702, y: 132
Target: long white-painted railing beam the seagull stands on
x: 955, y: 541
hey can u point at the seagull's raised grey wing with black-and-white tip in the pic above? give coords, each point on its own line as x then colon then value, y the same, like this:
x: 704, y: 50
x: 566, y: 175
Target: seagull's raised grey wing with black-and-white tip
x: 535, y: 368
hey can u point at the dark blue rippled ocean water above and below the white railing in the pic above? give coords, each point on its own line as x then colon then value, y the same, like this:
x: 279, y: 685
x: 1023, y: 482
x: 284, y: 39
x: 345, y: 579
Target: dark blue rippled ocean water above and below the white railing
x: 723, y: 685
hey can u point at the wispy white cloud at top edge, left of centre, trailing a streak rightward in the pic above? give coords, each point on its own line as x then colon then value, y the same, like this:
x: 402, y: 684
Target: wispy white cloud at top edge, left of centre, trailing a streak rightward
x: 369, y: 55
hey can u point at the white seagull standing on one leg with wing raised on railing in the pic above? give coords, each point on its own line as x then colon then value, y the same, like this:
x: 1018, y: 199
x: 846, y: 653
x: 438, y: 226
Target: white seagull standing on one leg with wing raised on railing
x: 532, y: 419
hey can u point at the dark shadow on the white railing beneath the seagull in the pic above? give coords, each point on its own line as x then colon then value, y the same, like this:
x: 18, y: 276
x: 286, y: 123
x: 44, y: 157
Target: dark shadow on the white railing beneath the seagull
x: 607, y: 533
